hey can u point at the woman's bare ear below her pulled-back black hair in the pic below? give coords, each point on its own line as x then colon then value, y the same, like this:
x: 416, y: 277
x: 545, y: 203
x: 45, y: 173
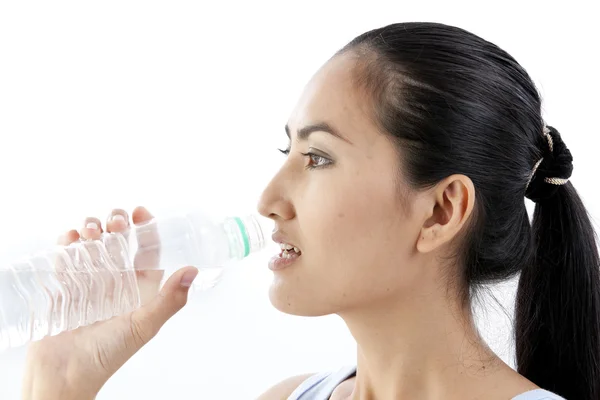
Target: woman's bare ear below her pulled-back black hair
x: 452, y: 202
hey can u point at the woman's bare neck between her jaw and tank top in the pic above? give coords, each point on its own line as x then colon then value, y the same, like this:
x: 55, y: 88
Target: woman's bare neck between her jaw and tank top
x: 418, y: 347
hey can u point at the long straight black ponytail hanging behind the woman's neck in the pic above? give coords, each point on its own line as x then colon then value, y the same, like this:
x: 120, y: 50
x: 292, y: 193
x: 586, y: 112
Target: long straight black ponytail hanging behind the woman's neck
x: 558, y: 298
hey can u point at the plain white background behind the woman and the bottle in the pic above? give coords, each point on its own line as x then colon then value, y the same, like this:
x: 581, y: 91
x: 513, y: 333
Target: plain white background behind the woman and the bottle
x: 174, y: 104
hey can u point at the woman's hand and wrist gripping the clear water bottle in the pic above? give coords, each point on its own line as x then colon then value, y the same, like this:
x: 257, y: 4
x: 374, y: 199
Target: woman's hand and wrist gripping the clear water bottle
x: 76, y: 364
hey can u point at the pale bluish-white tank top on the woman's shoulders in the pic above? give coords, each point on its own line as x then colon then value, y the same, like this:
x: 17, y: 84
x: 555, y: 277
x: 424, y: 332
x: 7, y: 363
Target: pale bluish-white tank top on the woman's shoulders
x: 321, y: 387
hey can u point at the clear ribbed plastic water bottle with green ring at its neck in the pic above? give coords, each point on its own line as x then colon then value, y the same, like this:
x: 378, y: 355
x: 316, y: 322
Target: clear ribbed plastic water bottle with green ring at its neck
x: 93, y: 280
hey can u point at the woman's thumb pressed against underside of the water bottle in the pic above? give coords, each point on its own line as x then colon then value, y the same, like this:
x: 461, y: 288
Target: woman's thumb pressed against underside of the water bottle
x: 147, y: 320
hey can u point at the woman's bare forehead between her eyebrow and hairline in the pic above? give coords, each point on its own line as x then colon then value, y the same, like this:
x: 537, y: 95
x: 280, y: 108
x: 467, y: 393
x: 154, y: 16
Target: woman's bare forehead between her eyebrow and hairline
x: 331, y: 96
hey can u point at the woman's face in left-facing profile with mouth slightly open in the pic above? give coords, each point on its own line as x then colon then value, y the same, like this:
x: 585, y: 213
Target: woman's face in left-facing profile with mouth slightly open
x: 341, y: 205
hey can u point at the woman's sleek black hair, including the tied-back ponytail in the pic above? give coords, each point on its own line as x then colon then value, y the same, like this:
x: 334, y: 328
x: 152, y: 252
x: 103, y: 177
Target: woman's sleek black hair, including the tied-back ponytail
x: 457, y: 104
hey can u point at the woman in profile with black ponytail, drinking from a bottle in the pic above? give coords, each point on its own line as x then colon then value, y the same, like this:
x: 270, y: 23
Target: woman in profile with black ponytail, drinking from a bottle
x: 411, y: 153
